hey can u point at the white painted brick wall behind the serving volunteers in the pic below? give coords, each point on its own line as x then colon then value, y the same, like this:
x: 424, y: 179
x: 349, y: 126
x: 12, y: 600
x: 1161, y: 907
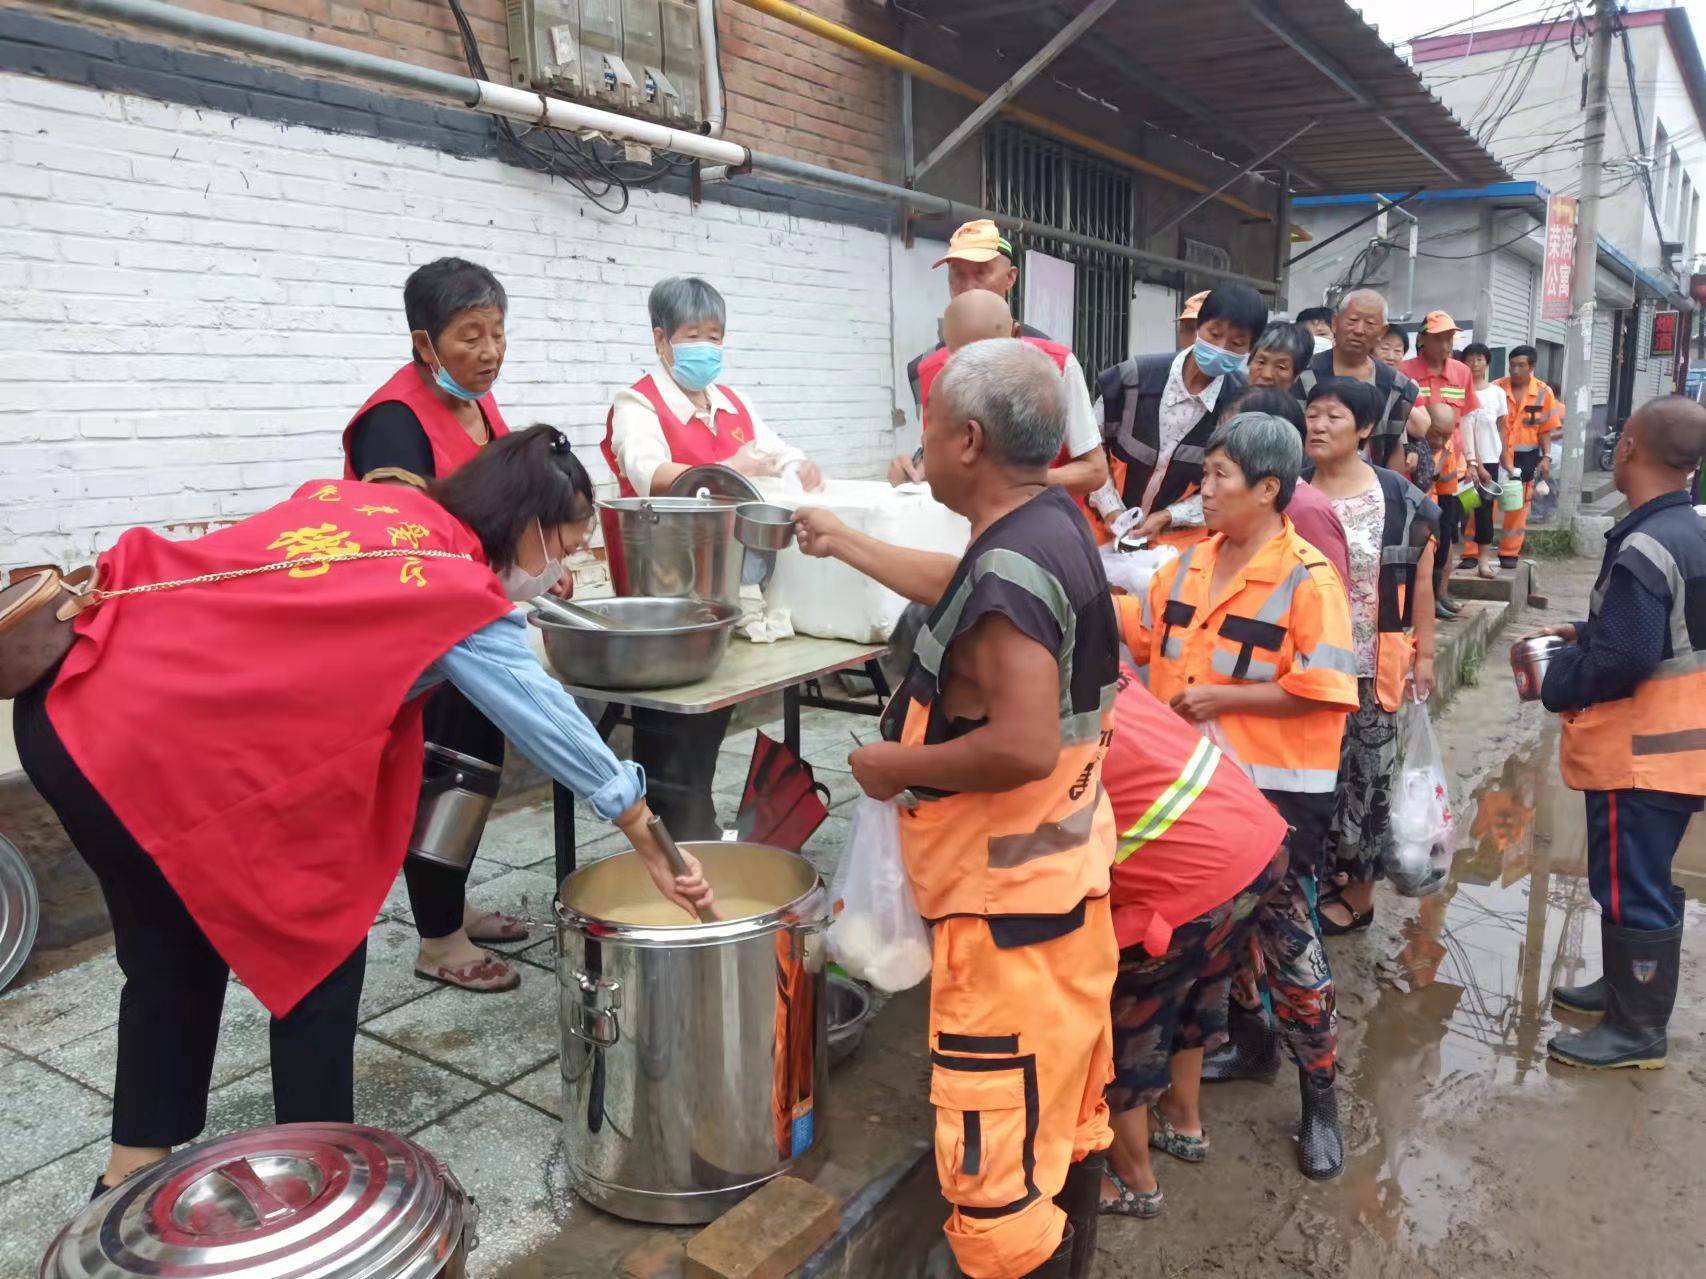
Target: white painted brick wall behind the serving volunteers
x: 192, y: 306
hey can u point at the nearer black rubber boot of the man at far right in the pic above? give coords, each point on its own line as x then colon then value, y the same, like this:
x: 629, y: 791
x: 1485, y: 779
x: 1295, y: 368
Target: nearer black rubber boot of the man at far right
x: 1642, y: 971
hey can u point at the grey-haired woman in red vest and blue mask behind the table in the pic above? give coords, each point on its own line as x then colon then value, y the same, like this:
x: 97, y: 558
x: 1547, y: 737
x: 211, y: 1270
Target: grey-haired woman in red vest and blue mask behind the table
x: 675, y: 419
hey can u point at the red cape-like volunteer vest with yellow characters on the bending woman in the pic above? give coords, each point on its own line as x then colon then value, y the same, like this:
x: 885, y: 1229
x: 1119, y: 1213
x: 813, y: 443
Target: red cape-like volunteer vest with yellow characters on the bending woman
x: 255, y: 736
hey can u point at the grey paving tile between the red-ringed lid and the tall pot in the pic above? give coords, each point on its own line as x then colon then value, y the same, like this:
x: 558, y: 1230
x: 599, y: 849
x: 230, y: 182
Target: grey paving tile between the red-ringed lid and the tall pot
x: 508, y: 1155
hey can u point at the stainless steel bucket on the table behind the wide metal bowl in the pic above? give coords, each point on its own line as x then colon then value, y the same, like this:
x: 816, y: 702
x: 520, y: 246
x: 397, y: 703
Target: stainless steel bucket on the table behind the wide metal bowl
x: 673, y: 547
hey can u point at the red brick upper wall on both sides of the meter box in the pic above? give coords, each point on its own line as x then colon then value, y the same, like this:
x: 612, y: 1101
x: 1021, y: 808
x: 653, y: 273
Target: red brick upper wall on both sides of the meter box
x: 789, y: 91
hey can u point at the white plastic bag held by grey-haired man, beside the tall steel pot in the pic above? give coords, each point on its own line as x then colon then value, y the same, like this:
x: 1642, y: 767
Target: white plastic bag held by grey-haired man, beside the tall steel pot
x: 878, y: 934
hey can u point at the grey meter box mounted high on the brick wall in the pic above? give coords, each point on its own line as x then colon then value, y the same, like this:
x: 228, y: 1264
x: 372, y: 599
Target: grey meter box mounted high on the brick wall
x: 635, y: 57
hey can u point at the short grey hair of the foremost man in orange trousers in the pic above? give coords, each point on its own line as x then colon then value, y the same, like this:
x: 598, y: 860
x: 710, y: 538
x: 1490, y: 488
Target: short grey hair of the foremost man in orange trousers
x: 1018, y: 396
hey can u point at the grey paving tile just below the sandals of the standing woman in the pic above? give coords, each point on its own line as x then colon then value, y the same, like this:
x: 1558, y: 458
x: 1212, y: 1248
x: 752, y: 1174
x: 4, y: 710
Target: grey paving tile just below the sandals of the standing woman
x: 489, y: 1036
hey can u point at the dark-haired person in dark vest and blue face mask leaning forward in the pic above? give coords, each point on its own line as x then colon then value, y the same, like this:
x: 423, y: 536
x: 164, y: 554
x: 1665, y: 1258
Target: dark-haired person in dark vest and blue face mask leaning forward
x: 1159, y: 412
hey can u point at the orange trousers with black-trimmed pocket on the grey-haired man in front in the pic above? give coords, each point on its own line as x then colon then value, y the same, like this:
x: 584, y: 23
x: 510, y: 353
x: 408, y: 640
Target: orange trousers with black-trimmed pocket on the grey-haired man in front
x: 1023, y: 1051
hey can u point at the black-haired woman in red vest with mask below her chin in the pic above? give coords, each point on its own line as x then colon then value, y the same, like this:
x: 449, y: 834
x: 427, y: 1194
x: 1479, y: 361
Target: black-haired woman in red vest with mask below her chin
x: 427, y: 420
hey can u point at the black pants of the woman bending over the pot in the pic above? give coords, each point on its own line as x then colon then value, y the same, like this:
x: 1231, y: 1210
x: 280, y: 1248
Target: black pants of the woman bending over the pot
x: 175, y: 981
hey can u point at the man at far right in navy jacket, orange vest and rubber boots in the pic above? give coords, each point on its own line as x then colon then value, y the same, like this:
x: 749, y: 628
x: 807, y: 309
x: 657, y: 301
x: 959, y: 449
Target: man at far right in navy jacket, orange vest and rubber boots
x: 1632, y: 690
